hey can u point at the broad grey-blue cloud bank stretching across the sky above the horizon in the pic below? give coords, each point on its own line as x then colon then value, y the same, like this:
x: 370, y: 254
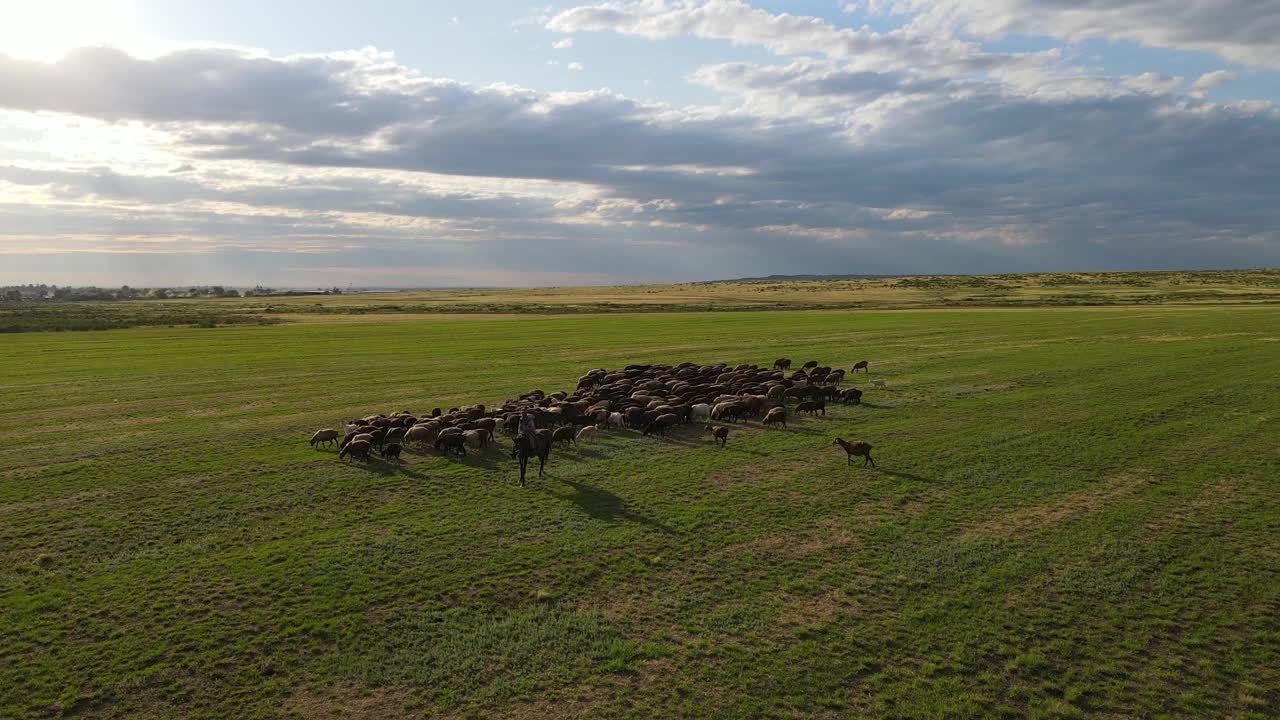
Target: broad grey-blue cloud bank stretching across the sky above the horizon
x: 815, y: 165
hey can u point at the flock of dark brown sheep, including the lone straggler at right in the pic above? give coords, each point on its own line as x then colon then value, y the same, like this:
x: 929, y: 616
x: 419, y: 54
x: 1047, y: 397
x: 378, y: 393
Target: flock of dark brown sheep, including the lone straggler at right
x: 651, y: 399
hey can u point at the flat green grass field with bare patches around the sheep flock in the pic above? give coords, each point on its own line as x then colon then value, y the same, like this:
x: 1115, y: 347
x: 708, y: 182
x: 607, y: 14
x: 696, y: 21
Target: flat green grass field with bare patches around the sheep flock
x: 1077, y: 514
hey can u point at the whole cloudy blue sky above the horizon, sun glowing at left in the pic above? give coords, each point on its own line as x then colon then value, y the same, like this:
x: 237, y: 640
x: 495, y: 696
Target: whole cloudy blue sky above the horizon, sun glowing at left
x: 504, y: 143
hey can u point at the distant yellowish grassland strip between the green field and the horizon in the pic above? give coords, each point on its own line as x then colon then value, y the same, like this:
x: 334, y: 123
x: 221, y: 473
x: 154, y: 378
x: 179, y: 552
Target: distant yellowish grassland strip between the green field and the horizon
x: 1039, y: 290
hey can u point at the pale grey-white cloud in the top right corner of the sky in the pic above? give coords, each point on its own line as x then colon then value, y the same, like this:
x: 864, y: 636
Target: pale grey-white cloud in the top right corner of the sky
x: 1241, y: 31
